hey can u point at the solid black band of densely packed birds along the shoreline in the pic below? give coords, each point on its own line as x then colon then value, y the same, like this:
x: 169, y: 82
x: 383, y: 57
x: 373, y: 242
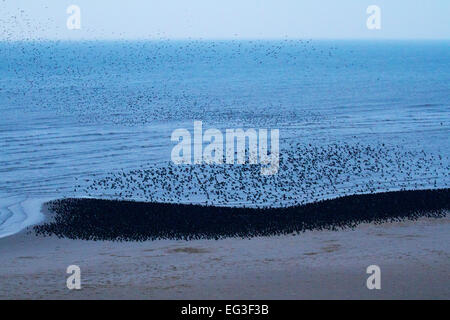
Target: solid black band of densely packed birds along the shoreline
x: 96, y: 219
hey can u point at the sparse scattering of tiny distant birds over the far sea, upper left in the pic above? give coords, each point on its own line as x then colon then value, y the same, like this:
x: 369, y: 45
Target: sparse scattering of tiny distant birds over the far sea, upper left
x: 140, y: 82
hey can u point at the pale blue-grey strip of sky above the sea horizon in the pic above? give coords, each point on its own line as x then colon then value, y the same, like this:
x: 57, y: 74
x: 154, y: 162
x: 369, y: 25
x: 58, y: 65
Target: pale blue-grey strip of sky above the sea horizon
x: 226, y: 19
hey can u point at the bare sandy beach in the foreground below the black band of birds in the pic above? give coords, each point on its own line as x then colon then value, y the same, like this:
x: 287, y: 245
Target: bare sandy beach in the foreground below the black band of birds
x: 413, y: 257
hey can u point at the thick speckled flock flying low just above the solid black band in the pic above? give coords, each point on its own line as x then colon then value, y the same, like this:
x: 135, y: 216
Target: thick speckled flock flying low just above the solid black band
x: 306, y: 174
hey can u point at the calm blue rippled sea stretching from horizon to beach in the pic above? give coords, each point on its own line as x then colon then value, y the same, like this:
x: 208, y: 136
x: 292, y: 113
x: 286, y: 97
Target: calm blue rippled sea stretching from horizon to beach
x: 75, y: 111
